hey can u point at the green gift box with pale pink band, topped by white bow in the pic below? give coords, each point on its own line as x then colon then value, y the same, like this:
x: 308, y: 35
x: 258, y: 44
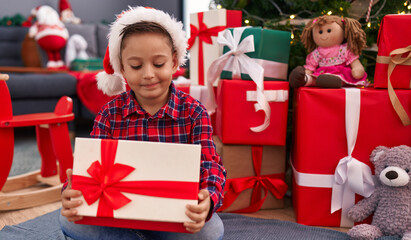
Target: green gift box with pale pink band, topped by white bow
x: 272, y: 50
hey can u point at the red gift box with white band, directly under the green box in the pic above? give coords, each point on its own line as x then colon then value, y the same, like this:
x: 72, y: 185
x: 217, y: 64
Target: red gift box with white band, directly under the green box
x: 236, y: 113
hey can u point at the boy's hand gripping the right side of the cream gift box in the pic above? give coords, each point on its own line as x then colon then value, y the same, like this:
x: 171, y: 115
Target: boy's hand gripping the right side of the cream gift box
x: 198, y: 213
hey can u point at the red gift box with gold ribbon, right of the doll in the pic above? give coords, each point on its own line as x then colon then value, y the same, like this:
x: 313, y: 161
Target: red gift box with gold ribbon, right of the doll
x: 394, y: 34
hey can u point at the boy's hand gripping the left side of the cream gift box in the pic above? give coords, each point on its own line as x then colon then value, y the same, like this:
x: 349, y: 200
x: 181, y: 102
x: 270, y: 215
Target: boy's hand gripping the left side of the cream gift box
x: 67, y: 203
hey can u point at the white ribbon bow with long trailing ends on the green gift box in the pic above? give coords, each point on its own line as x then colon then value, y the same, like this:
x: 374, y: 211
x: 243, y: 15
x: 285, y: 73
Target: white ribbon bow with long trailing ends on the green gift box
x: 238, y: 62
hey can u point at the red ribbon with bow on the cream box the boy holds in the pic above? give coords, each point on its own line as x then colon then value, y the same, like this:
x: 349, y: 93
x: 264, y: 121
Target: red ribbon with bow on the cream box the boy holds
x: 105, y: 184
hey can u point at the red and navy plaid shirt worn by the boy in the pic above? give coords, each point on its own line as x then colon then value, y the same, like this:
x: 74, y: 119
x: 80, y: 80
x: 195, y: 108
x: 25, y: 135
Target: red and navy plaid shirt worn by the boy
x: 182, y: 120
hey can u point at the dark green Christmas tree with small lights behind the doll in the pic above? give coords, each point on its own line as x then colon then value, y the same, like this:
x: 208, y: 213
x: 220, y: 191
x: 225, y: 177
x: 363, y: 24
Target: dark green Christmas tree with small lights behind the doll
x: 292, y: 15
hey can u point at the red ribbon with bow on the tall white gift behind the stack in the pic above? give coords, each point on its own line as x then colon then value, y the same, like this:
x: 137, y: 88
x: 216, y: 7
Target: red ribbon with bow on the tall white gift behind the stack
x: 204, y: 34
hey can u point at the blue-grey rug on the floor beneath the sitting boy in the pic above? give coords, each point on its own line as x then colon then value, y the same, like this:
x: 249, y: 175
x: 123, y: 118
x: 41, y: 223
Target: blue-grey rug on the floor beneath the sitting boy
x: 237, y: 227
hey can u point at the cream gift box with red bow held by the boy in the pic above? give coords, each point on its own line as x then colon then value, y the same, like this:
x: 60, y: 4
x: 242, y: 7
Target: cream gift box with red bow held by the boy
x: 133, y: 184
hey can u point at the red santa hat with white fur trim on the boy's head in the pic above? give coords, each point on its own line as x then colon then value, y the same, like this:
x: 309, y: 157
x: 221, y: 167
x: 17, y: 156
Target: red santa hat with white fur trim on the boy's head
x: 111, y: 81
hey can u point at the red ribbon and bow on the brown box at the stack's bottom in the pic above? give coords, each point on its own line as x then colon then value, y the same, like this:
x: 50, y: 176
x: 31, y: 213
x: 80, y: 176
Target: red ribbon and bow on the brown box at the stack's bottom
x: 271, y: 182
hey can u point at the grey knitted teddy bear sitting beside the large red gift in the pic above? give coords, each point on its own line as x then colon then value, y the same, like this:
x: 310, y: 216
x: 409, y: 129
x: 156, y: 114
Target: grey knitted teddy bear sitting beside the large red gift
x: 391, y: 200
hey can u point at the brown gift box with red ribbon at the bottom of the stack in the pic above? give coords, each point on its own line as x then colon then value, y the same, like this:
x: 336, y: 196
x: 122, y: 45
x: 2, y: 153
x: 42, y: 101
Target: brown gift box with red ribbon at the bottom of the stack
x: 255, y: 177
